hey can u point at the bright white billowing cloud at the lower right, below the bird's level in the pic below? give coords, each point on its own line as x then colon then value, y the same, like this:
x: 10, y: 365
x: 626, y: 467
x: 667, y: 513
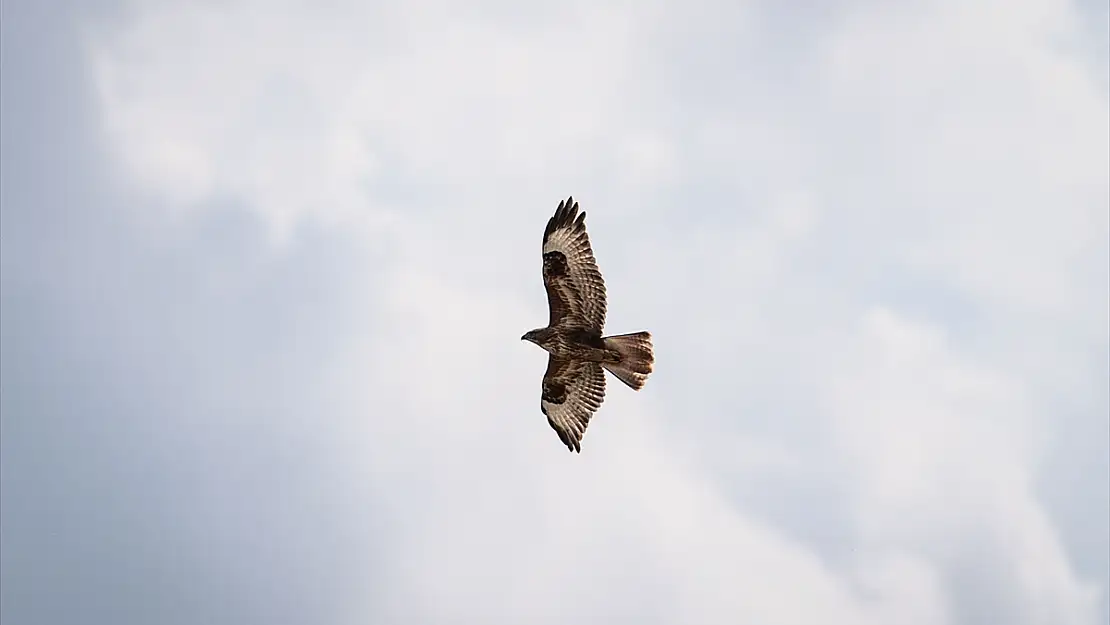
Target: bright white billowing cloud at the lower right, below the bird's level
x: 944, y: 451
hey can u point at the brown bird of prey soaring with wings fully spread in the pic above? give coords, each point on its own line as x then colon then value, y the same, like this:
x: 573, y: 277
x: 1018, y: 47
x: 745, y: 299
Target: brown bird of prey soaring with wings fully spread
x: 574, y: 385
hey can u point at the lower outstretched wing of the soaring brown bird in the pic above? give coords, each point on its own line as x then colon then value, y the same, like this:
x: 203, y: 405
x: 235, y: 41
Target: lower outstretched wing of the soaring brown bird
x: 572, y: 394
